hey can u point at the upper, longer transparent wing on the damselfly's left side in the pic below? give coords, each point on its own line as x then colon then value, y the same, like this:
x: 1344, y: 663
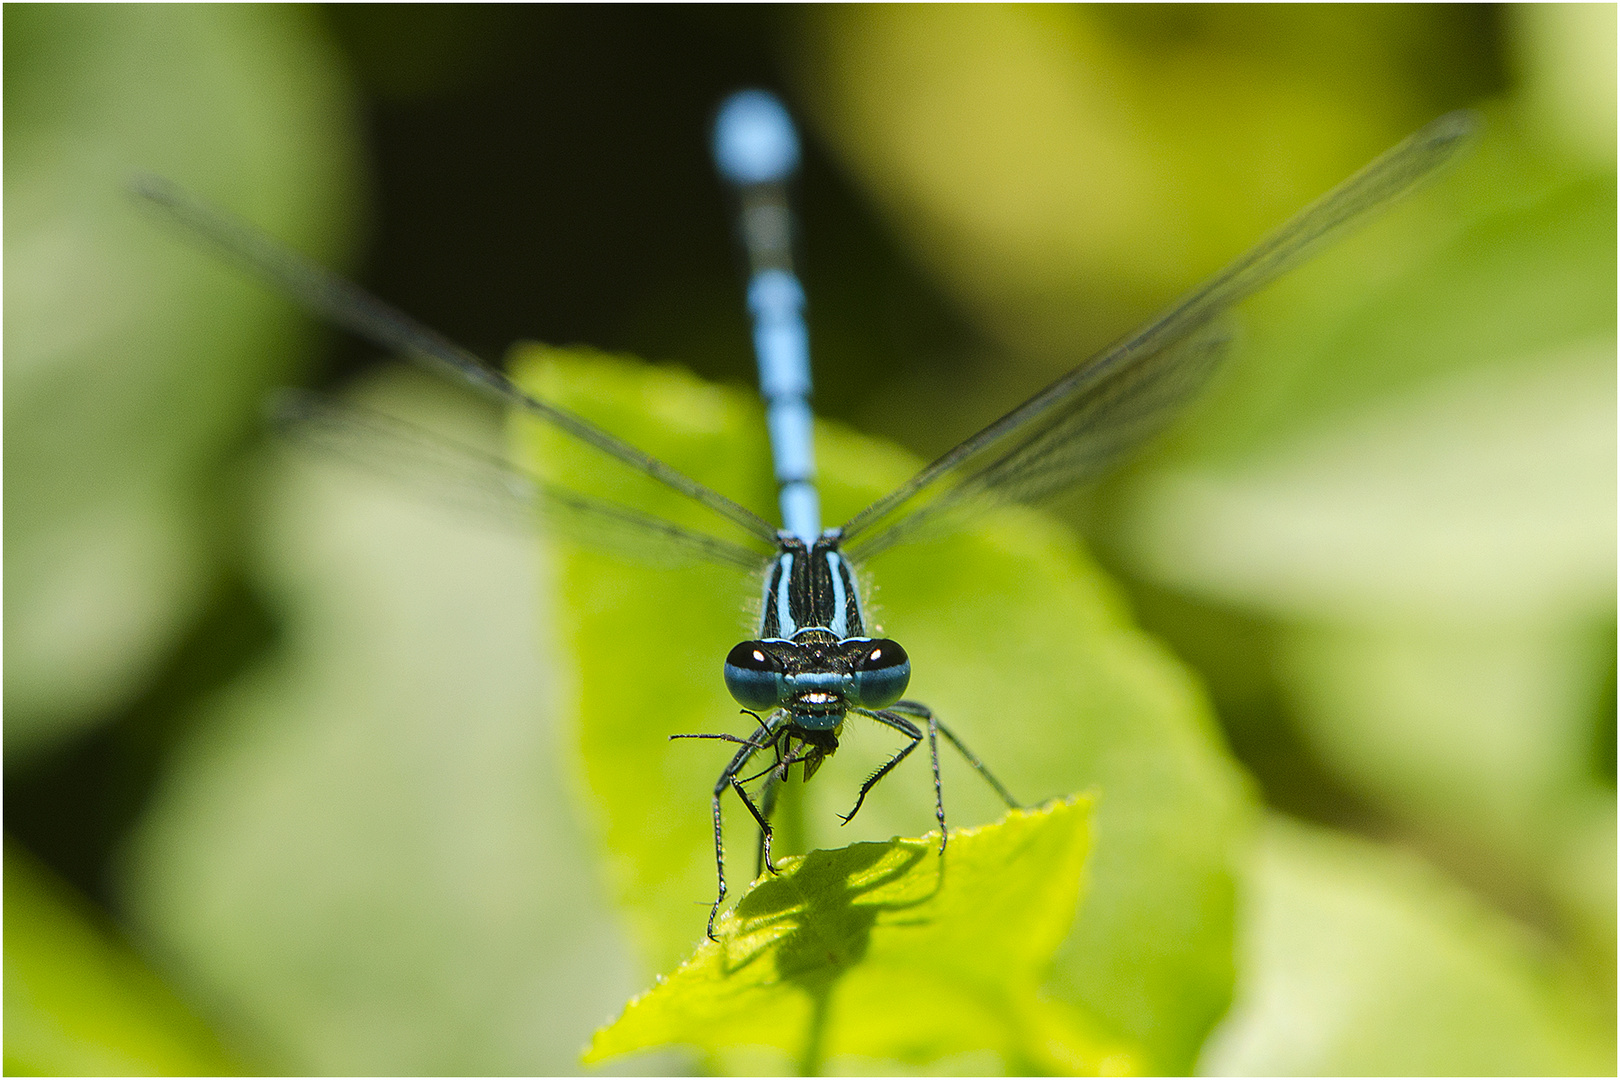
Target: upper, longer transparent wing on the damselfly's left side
x: 359, y: 312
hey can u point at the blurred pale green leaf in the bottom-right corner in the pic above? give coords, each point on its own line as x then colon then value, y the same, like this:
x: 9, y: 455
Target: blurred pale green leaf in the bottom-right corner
x: 1360, y: 961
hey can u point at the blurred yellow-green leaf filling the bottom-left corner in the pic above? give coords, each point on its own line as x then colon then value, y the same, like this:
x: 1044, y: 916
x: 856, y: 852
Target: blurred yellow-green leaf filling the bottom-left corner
x: 80, y: 1003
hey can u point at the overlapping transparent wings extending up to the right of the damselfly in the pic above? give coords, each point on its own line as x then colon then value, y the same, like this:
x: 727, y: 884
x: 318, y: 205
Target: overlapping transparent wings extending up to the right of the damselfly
x: 1085, y: 422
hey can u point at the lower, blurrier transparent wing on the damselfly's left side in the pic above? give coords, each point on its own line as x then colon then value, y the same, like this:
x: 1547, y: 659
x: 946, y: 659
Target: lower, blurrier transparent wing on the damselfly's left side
x: 458, y: 475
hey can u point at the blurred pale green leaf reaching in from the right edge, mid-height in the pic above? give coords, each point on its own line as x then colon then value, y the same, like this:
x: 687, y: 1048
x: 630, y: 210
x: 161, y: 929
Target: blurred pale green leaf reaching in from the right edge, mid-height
x: 1488, y: 495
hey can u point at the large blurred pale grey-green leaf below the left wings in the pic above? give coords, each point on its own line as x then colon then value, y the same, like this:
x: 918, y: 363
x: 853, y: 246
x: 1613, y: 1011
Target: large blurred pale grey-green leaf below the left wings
x: 364, y: 854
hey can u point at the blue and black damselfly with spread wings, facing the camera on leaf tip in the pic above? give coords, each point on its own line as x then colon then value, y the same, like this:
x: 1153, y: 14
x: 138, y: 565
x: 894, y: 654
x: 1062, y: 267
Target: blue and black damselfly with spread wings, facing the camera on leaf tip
x: 812, y: 663
